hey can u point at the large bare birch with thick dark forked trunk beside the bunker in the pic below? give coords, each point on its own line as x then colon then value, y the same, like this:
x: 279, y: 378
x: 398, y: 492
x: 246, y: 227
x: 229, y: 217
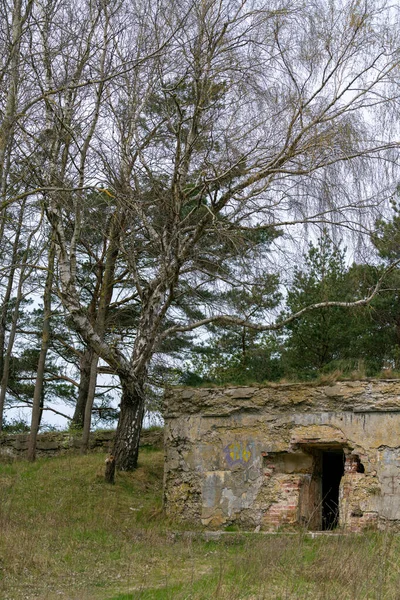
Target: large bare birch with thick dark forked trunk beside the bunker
x: 223, y: 135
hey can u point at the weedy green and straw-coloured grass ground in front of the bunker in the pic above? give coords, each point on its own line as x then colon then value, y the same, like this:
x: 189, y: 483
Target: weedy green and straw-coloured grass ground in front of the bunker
x: 66, y: 534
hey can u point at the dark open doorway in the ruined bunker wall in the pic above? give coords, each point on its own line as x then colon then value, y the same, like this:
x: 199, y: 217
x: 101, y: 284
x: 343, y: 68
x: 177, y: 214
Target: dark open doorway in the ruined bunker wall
x: 332, y: 472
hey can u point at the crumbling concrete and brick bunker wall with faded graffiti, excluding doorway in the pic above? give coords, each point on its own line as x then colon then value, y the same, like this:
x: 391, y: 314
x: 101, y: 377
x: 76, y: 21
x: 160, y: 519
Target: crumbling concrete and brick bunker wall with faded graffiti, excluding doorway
x: 251, y: 455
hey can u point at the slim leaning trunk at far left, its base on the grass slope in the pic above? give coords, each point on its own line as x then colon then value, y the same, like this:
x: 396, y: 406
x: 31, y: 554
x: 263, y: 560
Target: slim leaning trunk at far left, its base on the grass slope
x: 37, y: 404
